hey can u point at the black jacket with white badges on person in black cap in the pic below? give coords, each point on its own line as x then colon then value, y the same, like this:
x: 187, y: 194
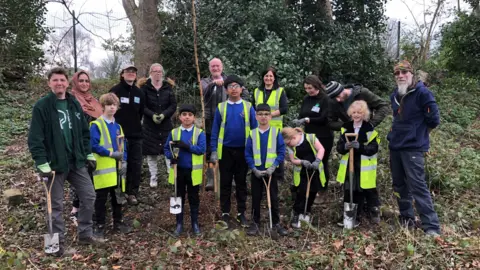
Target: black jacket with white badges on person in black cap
x: 130, y: 113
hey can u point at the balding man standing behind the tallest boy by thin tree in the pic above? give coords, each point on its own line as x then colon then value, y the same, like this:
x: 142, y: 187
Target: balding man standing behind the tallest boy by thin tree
x: 214, y: 93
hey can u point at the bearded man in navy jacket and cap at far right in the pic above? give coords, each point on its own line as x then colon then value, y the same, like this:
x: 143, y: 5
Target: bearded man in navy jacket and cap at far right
x: 415, y: 114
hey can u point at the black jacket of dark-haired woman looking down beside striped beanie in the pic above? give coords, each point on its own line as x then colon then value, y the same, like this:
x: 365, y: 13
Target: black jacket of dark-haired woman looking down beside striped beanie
x: 318, y: 120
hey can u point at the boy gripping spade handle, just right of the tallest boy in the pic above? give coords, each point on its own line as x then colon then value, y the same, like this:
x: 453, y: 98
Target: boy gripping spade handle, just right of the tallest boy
x: 264, y: 152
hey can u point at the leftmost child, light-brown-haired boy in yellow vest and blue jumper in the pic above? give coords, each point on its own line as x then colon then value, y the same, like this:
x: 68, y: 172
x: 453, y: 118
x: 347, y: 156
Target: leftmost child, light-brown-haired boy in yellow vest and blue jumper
x: 103, y: 137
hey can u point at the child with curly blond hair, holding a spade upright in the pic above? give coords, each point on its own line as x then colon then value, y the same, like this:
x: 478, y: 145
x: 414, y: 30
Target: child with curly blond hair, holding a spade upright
x: 365, y: 161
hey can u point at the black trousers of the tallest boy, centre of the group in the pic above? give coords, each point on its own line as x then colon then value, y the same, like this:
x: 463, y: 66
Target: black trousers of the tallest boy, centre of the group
x: 233, y: 166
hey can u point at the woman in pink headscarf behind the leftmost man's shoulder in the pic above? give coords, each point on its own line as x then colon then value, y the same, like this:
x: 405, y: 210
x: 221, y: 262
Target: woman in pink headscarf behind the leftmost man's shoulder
x: 91, y: 109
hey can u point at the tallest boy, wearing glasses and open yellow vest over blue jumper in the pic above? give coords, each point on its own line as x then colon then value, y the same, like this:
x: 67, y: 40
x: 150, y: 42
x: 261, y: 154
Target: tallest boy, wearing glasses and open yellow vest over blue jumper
x: 233, y: 121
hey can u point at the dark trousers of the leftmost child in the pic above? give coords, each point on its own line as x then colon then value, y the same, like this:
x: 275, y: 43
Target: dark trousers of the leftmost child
x: 100, y: 205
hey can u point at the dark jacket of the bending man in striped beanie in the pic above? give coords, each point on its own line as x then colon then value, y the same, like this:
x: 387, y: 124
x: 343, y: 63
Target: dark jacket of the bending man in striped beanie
x: 379, y: 108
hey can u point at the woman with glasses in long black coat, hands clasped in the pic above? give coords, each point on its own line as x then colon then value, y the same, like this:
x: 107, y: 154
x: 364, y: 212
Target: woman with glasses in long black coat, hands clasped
x: 160, y: 105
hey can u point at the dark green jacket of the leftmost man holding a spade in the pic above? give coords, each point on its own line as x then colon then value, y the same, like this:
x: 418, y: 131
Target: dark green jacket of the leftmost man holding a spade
x: 45, y: 140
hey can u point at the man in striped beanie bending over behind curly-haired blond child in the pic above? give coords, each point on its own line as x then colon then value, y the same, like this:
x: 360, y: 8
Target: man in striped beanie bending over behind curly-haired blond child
x: 344, y: 96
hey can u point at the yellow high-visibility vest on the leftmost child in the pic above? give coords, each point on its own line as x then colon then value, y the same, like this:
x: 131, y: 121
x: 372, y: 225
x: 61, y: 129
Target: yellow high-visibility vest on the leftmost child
x: 105, y: 175
